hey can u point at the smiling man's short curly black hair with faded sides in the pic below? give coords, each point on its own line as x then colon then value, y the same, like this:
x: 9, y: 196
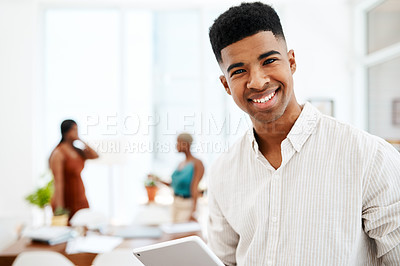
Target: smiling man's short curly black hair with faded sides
x: 242, y: 21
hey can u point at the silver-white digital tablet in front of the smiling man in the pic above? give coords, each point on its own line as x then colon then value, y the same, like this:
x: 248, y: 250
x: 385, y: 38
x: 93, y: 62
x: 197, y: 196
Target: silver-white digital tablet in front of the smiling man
x: 180, y: 252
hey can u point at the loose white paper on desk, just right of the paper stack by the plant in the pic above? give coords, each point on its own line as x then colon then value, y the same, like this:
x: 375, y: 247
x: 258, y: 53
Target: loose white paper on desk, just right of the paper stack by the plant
x: 92, y: 244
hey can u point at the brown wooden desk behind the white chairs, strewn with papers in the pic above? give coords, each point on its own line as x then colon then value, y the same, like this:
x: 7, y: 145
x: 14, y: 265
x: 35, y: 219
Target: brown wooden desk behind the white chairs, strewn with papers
x: 8, y: 255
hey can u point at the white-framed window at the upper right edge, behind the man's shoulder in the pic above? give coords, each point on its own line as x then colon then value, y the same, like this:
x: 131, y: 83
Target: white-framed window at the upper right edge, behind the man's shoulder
x: 382, y: 61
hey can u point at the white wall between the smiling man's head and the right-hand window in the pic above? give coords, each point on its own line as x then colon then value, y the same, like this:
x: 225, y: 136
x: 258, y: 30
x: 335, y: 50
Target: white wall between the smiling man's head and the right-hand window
x: 322, y: 44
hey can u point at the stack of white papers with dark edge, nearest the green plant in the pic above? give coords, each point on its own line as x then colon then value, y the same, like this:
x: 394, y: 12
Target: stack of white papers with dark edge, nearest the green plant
x: 51, y: 235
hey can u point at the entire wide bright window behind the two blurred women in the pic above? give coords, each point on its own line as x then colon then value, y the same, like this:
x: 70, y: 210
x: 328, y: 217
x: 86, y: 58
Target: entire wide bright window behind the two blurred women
x: 133, y: 79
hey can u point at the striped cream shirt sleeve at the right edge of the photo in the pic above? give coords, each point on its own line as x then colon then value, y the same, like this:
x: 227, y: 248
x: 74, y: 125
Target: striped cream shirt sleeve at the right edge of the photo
x: 381, y: 203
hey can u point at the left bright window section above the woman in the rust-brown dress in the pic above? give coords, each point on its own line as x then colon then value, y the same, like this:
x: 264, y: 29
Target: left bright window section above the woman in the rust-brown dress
x: 82, y: 66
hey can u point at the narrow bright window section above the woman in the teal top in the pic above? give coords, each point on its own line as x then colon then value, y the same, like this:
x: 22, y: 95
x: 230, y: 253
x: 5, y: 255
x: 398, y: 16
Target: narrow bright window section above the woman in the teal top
x: 178, y: 72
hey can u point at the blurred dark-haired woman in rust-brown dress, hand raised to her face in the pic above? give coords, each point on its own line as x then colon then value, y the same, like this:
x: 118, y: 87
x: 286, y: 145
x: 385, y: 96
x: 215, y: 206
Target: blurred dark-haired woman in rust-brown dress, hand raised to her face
x: 67, y: 162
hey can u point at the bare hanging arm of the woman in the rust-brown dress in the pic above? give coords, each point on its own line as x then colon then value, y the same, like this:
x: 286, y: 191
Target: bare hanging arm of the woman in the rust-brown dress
x: 57, y: 168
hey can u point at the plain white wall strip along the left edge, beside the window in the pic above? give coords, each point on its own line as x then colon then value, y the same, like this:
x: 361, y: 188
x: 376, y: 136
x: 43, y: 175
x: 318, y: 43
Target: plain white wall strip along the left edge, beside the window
x: 17, y: 52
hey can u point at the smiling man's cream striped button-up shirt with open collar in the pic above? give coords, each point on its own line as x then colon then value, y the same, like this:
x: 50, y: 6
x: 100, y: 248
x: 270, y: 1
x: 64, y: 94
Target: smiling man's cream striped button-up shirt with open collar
x: 335, y: 199
